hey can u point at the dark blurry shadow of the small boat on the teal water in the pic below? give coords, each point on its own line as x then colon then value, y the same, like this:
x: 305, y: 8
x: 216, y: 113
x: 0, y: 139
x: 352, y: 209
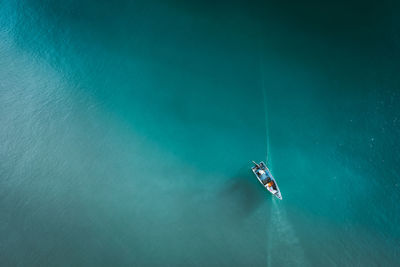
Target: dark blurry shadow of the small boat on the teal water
x: 242, y: 195
